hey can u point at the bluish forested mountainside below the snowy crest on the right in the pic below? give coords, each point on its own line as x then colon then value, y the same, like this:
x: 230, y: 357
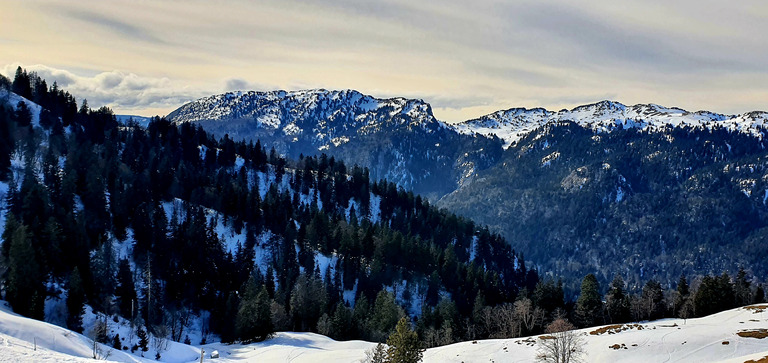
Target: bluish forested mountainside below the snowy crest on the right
x: 647, y: 204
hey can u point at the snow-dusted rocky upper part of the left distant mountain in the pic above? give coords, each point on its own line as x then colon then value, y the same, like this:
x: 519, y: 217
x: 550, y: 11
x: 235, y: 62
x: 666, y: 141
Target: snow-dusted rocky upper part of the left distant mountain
x: 326, y: 119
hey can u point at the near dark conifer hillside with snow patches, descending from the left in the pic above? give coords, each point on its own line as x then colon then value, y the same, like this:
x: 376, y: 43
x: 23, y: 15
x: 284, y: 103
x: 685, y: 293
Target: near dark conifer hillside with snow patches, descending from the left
x: 181, y: 224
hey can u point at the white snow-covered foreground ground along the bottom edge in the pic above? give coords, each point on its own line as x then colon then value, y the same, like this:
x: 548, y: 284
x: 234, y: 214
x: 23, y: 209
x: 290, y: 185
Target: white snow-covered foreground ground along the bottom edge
x: 710, y: 339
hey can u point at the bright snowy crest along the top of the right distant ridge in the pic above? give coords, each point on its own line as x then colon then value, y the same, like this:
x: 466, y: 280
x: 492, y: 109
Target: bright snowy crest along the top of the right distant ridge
x: 511, y: 125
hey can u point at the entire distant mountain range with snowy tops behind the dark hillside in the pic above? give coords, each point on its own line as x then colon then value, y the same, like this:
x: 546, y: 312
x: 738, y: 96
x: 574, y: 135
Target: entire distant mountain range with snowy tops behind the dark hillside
x: 650, y: 190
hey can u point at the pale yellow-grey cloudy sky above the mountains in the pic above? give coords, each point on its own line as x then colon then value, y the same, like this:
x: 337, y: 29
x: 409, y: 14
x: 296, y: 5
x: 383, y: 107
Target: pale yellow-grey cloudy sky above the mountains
x: 466, y: 58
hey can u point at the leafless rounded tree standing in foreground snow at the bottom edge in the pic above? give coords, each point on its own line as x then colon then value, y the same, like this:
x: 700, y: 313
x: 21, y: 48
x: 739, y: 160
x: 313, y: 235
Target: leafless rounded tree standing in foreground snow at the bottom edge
x: 563, y: 345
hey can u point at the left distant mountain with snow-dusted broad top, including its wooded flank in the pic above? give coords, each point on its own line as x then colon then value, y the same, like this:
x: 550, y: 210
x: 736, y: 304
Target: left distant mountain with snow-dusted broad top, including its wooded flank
x: 397, y: 138
